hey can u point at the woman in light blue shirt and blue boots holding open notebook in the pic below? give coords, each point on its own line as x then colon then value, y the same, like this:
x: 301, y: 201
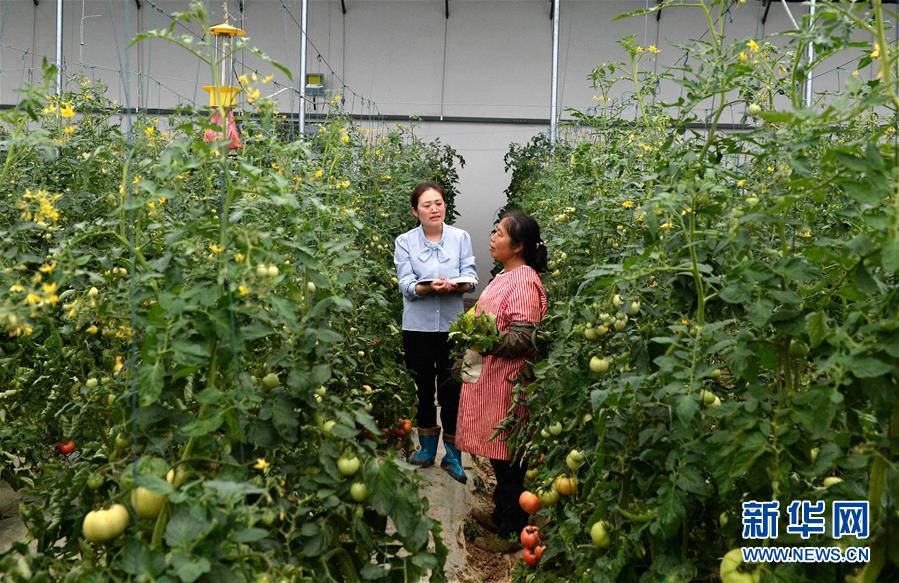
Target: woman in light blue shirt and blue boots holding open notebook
x: 431, y: 259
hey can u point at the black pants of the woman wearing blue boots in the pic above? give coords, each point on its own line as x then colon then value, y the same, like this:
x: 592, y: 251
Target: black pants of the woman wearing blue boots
x: 428, y: 359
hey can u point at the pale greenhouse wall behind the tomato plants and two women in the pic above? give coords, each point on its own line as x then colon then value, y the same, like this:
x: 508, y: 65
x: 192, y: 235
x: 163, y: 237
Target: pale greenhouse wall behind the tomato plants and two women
x: 490, y: 59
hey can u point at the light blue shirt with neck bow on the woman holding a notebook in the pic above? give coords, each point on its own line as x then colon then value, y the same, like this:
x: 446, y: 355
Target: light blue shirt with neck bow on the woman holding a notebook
x: 416, y: 258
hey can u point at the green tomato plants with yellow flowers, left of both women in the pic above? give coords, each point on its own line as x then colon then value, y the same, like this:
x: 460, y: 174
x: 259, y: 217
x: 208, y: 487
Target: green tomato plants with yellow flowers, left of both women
x: 166, y: 304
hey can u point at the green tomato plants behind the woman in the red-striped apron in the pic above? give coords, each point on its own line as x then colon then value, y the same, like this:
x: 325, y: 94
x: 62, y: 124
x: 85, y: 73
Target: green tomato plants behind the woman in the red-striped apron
x: 758, y: 267
